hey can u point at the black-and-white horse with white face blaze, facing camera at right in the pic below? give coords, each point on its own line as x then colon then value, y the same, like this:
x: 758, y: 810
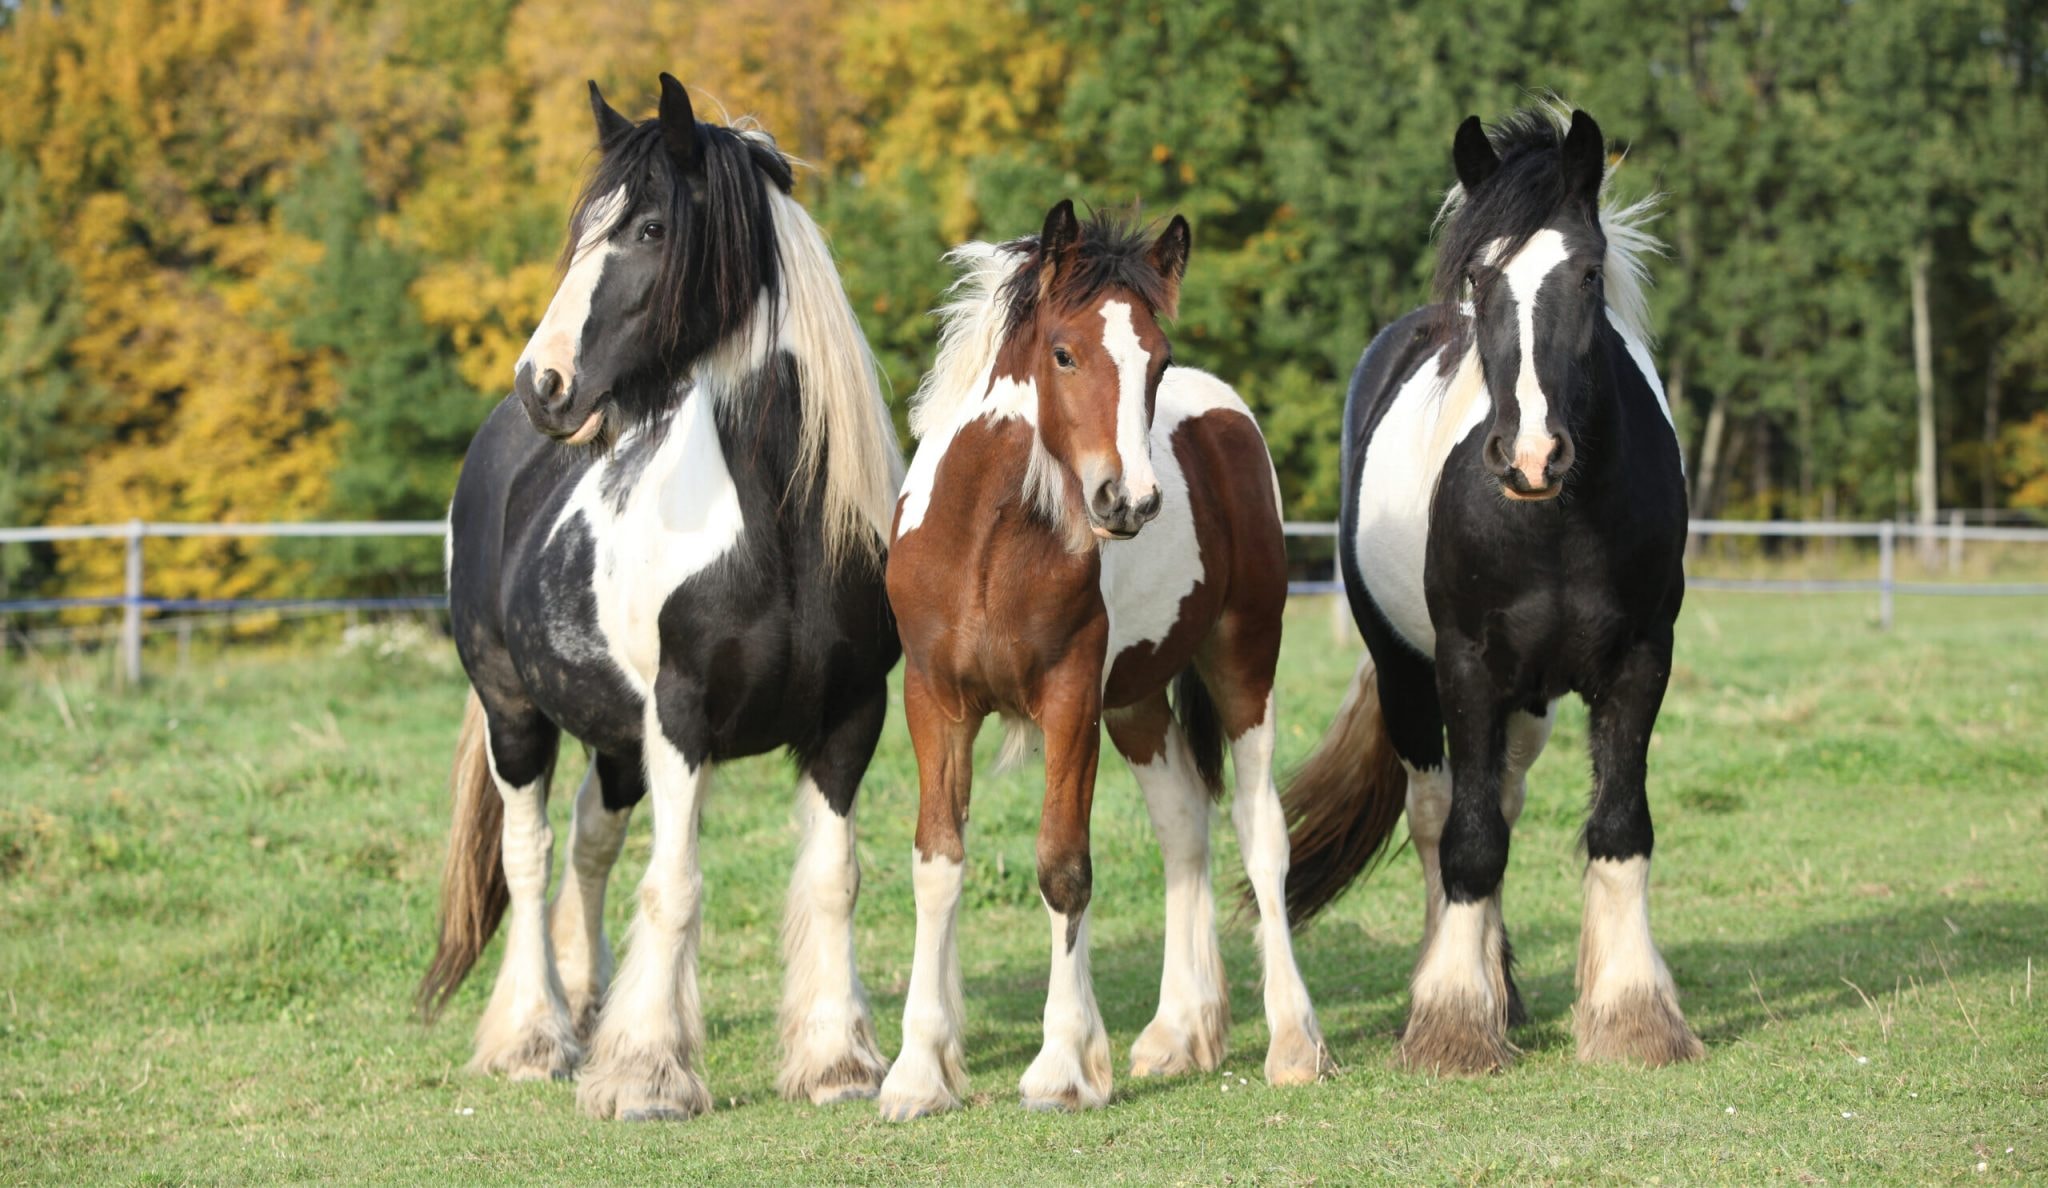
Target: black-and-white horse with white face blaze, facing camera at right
x: 1514, y: 515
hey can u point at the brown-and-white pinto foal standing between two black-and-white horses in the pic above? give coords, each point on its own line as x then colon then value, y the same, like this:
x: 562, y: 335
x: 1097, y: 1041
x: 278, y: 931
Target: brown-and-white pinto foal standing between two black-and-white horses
x: 1054, y: 431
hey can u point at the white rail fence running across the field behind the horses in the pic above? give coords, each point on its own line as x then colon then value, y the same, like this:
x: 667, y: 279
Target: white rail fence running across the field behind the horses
x: 134, y: 603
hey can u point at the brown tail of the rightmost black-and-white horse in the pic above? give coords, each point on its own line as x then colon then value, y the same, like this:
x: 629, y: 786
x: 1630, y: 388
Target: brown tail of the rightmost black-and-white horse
x: 1342, y: 804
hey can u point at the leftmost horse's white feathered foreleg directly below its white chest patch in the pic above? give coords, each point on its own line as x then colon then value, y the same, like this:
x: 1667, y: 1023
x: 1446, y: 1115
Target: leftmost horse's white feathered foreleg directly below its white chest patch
x: 644, y: 1058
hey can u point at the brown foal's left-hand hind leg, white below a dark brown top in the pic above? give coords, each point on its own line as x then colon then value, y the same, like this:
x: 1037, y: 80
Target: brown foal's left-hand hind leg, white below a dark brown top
x: 1195, y: 1005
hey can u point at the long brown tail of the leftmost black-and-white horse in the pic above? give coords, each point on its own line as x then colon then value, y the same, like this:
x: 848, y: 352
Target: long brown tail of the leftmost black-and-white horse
x: 474, y: 880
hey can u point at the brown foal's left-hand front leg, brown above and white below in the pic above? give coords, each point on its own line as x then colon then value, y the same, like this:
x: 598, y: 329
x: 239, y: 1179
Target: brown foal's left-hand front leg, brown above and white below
x: 931, y: 1074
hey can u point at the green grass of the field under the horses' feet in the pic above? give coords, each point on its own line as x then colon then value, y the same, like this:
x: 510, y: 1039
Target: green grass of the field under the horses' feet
x: 216, y: 898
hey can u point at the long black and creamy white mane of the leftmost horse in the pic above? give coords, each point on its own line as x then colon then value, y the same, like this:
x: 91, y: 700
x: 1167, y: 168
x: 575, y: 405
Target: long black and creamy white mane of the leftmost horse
x: 753, y: 273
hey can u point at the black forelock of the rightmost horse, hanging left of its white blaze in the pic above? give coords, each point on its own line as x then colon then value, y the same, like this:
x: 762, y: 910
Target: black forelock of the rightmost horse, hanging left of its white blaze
x: 1521, y: 200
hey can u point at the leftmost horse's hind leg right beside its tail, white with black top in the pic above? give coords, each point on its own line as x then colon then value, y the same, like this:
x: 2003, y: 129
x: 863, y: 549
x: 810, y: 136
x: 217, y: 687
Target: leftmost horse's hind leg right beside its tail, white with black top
x: 525, y: 1031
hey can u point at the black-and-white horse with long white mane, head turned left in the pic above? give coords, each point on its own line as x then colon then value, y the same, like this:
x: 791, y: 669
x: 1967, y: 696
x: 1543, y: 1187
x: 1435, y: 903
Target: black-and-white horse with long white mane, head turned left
x: 669, y: 544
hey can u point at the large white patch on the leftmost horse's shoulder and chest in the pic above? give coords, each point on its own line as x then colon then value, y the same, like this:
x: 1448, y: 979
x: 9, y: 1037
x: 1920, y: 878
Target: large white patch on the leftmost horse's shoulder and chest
x: 681, y: 517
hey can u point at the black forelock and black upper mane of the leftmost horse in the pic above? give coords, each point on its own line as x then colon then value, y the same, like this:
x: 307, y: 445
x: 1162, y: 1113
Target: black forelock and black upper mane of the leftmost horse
x: 720, y: 253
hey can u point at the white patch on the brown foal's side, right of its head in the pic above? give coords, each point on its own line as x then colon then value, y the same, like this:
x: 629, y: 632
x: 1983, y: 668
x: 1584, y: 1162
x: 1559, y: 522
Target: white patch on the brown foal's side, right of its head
x: 1148, y: 577
